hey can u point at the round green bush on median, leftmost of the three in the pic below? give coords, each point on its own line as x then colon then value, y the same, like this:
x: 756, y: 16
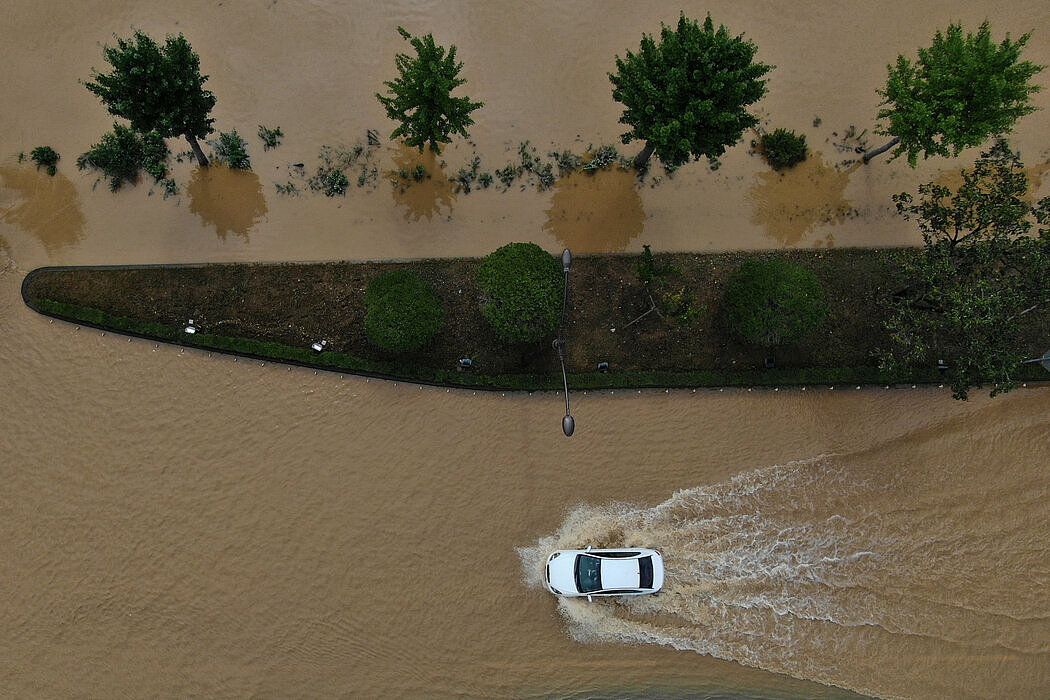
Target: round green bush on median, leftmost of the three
x: 403, y: 312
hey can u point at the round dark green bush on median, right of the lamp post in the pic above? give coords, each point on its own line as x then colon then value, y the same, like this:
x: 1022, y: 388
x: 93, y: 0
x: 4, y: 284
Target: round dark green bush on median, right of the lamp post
x: 771, y: 302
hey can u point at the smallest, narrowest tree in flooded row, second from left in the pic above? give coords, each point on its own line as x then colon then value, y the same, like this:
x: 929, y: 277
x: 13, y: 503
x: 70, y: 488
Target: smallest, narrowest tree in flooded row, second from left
x: 422, y: 97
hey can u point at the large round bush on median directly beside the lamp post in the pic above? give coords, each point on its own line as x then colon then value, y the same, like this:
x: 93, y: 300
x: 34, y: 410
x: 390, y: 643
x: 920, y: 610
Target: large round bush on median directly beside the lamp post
x: 523, y: 289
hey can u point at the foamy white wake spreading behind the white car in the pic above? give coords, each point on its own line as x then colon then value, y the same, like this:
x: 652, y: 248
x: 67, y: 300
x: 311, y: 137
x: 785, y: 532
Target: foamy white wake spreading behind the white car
x: 795, y: 567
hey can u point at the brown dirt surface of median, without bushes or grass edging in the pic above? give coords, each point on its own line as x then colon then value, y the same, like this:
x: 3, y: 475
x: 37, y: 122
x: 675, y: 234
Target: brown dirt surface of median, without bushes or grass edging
x: 299, y: 305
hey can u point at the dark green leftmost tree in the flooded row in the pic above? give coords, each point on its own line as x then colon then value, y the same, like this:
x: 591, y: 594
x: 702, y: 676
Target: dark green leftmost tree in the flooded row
x: 157, y: 89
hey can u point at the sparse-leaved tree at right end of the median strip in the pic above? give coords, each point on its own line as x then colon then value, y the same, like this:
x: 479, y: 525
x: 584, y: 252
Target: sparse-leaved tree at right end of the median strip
x: 980, y: 273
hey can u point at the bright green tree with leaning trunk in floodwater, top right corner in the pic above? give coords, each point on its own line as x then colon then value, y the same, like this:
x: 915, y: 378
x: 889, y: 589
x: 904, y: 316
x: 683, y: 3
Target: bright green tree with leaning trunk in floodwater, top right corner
x: 961, y: 91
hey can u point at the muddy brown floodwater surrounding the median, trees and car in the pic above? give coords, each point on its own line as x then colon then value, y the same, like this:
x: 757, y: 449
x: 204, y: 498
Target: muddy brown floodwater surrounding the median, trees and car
x: 177, y: 524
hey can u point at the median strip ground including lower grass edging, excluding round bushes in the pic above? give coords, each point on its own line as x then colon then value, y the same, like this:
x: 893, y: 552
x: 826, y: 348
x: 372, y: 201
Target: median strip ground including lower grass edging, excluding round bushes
x: 669, y: 331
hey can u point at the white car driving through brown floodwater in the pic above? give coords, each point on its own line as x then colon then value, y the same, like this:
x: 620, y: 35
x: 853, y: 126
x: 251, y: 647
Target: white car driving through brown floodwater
x: 590, y: 572
